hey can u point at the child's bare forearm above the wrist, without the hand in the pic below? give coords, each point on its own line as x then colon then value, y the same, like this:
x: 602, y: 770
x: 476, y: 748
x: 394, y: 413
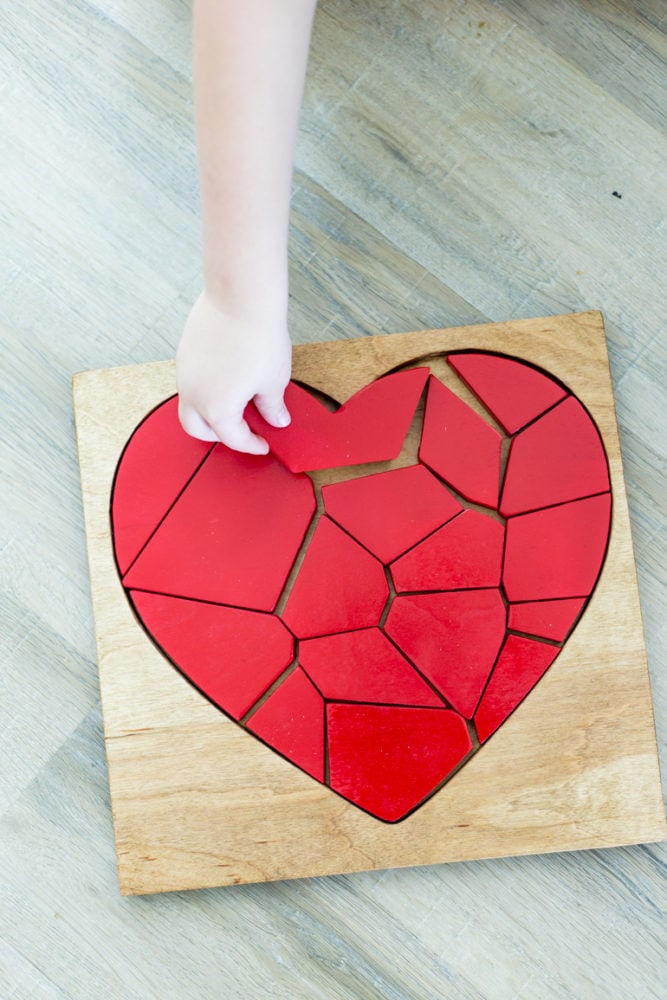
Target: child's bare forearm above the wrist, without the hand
x: 249, y: 66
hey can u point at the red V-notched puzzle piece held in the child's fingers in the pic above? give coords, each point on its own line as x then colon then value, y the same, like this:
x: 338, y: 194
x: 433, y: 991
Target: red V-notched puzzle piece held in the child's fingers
x: 369, y: 427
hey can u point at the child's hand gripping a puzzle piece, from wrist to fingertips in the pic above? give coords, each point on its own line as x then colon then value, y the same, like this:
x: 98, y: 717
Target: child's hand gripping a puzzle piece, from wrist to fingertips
x: 224, y: 360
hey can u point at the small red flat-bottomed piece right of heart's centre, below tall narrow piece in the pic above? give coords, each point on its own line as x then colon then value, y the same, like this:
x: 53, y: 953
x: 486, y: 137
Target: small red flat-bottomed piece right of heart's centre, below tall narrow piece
x: 466, y: 553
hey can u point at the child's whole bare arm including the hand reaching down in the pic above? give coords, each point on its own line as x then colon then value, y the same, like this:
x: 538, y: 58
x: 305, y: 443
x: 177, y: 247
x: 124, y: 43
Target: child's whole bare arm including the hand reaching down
x: 249, y: 65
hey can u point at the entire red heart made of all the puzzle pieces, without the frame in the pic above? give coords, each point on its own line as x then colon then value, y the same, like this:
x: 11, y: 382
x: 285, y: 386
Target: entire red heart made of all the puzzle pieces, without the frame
x: 375, y: 630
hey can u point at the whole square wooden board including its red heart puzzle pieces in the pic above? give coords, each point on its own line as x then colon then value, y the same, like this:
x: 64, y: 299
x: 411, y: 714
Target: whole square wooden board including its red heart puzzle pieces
x: 409, y: 636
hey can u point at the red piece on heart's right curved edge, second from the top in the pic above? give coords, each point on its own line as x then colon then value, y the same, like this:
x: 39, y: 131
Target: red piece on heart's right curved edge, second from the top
x: 560, y: 457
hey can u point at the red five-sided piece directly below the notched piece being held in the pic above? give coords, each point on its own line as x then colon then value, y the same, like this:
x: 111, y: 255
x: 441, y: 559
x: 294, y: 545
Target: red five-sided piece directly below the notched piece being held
x: 390, y: 511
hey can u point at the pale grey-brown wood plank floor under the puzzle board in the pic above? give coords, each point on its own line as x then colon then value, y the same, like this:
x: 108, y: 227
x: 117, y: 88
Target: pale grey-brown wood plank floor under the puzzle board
x: 458, y: 162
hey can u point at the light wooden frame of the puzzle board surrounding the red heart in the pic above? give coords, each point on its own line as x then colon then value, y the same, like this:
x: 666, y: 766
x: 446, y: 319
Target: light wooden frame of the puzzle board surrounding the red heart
x: 198, y: 802
